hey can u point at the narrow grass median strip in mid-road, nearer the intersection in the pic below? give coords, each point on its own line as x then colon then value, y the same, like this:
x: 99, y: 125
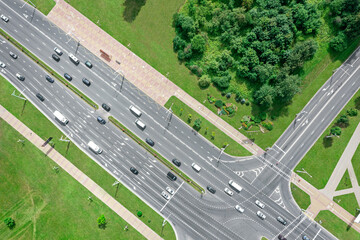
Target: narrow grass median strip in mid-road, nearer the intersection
x: 157, y: 155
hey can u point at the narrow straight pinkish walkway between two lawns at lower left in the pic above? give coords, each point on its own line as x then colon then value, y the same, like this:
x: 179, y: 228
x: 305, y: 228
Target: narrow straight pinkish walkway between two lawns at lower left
x: 78, y: 175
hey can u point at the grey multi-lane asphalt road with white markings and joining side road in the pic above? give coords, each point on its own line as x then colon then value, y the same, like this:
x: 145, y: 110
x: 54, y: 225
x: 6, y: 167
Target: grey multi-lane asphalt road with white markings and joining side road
x: 194, y: 216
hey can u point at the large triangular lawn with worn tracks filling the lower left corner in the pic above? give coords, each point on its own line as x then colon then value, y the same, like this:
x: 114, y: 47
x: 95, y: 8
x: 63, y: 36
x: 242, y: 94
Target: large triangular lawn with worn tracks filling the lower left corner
x: 43, y: 203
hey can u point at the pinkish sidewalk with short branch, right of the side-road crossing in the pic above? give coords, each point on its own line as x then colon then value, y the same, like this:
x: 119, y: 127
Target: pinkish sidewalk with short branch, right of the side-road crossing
x: 319, y: 201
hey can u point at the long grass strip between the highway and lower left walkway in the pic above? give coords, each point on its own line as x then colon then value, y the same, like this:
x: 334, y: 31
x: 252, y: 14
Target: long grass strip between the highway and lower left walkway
x: 44, y: 128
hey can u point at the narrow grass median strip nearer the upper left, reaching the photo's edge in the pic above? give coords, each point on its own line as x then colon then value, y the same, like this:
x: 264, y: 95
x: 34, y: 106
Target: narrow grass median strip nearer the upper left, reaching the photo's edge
x: 49, y: 70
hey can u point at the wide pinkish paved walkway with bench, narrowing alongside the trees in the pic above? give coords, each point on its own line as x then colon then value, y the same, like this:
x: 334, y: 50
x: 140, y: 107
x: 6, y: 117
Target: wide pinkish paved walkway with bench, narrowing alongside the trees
x: 137, y: 71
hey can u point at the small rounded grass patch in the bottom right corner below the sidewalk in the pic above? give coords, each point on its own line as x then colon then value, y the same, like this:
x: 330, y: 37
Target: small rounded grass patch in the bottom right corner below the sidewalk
x: 336, y: 226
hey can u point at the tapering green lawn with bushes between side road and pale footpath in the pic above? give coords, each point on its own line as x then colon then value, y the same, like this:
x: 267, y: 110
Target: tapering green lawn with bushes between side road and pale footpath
x: 322, y: 158
